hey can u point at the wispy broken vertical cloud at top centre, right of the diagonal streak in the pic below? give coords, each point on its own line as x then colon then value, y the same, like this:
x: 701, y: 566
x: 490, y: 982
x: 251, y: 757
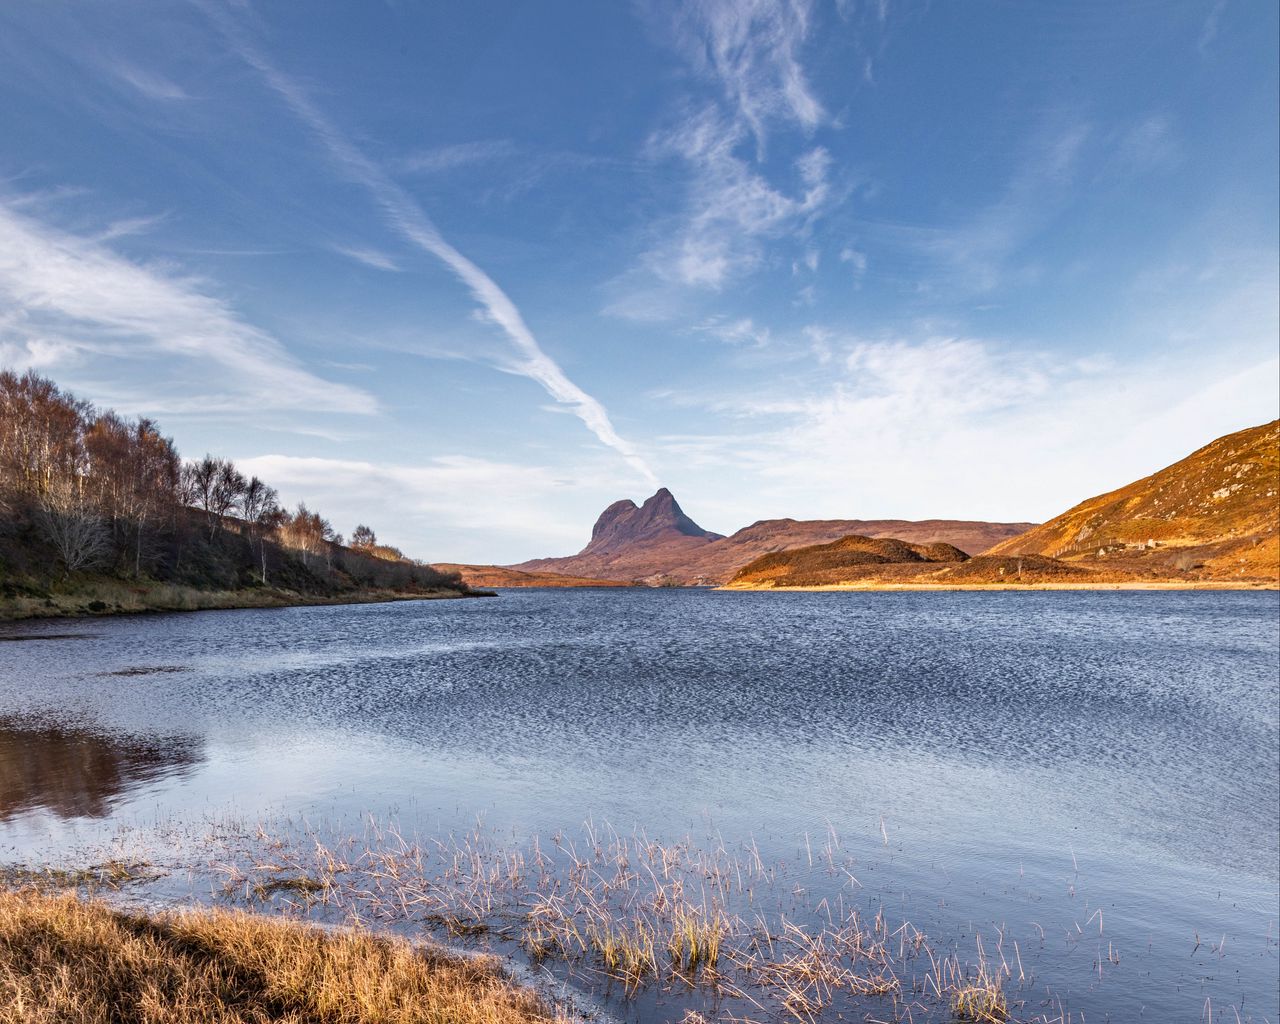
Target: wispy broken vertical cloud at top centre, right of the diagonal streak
x: 734, y: 208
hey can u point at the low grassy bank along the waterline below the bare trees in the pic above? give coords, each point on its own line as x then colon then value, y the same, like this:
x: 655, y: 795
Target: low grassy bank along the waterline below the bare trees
x: 115, y: 597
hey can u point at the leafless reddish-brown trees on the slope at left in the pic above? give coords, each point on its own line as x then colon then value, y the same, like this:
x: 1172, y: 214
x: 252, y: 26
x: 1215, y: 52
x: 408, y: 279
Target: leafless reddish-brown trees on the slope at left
x: 108, y: 491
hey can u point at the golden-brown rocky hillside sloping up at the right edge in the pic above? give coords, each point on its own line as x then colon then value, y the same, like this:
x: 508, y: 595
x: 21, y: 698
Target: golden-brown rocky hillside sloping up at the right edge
x: 1213, y: 516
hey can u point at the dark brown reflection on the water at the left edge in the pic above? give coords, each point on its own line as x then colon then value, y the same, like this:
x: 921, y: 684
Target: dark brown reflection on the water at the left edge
x: 79, y: 774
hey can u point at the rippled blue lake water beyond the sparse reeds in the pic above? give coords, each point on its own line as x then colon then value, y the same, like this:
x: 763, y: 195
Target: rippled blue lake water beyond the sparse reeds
x: 1014, y: 761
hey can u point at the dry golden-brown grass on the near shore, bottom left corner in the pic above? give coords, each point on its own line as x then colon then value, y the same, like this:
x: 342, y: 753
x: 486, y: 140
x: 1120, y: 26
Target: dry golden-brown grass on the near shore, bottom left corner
x: 76, y: 962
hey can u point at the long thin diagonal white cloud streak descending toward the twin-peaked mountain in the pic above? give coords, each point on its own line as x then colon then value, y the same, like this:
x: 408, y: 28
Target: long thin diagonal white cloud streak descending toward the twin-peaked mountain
x: 404, y: 214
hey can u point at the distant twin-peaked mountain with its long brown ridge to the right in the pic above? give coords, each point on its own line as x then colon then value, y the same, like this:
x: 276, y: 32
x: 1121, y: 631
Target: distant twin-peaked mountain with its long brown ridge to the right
x: 656, y: 542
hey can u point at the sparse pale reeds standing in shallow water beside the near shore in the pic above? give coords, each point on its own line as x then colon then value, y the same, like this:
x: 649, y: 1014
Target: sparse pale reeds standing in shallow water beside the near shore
x: 703, y: 927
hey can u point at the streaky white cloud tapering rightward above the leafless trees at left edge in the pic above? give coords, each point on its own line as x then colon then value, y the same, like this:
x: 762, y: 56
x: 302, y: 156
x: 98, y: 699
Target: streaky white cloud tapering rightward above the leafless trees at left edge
x: 70, y: 296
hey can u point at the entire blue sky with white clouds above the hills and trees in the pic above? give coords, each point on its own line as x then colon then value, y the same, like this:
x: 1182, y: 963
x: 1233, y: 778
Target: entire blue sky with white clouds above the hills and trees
x: 472, y: 272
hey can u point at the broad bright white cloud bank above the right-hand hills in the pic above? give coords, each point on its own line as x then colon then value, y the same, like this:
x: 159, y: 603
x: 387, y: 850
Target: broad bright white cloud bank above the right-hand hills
x: 968, y: 428
